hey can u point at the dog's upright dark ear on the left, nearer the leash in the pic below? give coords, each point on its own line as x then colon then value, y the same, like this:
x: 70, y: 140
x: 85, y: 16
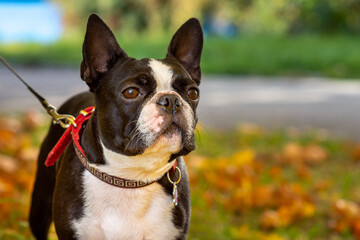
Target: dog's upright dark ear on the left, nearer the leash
x: 100, y: 51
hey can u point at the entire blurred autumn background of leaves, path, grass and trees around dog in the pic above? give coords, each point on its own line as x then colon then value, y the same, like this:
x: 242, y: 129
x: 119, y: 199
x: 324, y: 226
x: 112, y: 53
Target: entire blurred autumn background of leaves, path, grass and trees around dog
x: 278, y: 141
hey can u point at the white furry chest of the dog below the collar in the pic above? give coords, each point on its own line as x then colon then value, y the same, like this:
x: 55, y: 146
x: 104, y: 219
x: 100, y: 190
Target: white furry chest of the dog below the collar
x: 116, y: 213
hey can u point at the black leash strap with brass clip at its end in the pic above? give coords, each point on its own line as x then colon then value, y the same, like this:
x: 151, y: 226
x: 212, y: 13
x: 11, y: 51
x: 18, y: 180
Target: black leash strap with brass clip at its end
x: 63, y: 119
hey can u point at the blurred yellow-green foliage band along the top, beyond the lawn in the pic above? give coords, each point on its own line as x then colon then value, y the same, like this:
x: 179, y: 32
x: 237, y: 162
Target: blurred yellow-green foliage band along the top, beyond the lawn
x: 275, y: 17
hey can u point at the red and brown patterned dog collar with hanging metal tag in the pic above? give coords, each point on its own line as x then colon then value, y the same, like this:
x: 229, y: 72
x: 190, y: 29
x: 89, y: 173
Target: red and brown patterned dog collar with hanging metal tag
x: 73, y: 133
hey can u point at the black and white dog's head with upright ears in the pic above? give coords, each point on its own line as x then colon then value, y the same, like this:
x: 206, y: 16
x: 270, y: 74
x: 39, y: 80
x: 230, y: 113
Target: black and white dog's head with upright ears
x: 144, y: 104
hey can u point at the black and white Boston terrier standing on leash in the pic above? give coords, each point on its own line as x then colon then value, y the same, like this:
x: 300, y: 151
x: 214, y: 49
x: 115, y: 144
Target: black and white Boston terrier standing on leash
x: 142, y: 124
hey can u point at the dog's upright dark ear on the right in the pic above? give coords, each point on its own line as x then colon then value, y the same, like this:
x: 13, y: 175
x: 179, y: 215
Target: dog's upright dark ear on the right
x: 186, y: 46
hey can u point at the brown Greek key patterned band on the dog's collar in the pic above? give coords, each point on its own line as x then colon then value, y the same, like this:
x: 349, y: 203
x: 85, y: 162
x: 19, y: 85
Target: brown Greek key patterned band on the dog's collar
x: 109, y: 179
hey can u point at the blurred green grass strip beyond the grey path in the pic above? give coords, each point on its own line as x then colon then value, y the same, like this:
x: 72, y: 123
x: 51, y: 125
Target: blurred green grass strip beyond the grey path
x: 334, y: 56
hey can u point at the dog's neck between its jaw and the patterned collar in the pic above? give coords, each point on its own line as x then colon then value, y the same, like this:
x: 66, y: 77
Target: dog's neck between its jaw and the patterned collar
x: 149, y: 166
